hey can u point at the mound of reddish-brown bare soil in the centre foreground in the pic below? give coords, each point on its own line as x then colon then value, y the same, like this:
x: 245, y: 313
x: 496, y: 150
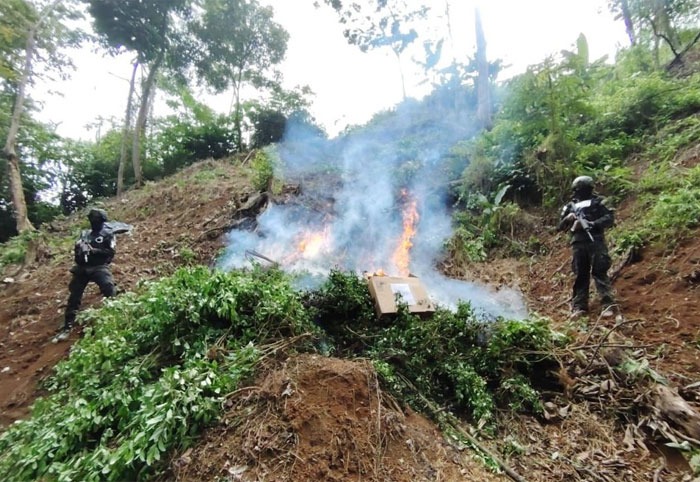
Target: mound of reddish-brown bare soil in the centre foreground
x: 316, y: 418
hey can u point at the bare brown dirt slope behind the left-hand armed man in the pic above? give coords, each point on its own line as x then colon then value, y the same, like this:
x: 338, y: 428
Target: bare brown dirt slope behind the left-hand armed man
x: 175, y: 222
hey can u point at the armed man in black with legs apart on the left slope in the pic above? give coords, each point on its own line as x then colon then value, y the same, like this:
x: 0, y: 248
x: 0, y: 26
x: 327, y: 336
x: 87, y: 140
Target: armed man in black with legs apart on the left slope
x: 93, y: 252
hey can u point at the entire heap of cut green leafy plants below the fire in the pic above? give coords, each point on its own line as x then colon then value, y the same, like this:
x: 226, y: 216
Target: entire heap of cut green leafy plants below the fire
x: 153, y: 369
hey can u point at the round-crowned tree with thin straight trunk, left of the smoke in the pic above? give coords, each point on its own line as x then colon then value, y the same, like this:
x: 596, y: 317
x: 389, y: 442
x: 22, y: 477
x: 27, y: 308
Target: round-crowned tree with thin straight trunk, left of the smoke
x: 239, y: 43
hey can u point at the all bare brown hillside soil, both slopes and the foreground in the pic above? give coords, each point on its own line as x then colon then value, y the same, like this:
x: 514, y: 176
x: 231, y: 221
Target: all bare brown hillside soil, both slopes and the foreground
x: 313, y: 417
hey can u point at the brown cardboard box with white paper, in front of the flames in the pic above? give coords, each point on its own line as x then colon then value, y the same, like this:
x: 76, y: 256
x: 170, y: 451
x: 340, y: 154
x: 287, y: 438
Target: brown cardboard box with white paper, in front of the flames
x: 385, y: 290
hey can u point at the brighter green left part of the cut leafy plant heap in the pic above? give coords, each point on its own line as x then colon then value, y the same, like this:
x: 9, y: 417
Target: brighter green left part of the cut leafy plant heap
x: 150, y: 373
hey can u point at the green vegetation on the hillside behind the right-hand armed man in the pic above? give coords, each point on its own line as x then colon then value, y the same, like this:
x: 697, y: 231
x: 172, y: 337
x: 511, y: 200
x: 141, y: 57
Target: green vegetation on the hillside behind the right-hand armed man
x: 567, y: 117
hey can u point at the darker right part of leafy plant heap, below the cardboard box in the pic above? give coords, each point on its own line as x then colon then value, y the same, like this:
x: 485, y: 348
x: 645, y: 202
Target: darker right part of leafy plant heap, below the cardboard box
x: 453, y: 358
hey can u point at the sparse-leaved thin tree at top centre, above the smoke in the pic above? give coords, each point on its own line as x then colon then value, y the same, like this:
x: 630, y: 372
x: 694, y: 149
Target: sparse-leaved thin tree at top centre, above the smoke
x: 380, y: 23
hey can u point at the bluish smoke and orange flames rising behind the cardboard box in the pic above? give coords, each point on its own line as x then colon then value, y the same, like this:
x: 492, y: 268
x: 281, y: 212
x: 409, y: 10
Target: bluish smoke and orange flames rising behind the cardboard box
x: 362, y: 216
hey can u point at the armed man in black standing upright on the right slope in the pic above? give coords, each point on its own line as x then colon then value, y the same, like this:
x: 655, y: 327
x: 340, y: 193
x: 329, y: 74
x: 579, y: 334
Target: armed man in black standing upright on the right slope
x: 586, y: 217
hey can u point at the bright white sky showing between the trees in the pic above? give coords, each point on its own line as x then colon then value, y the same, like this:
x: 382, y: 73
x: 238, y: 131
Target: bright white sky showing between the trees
x: 351, y: 86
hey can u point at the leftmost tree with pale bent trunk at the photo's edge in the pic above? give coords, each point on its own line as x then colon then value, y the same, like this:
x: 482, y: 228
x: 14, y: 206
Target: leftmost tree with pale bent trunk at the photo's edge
x: 40, y: 27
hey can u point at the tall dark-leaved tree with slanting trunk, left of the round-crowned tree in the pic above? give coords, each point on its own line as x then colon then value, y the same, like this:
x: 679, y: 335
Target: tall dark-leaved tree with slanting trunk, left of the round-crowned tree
x: 156, y: 31
